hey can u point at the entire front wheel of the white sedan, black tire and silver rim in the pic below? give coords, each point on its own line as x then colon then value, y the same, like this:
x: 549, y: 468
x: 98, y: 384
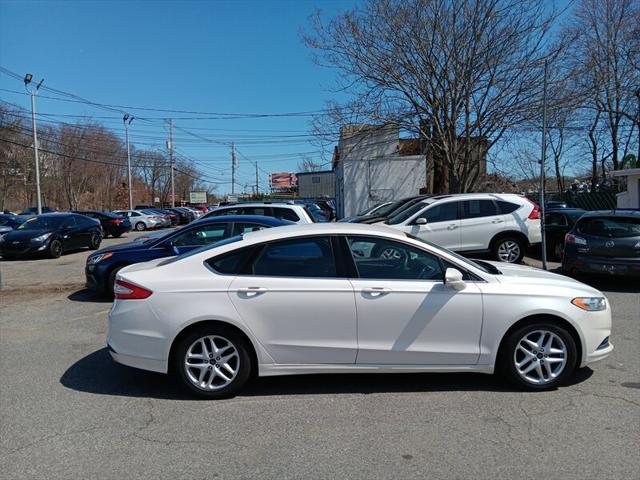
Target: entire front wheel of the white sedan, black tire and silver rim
x: 539, y: 356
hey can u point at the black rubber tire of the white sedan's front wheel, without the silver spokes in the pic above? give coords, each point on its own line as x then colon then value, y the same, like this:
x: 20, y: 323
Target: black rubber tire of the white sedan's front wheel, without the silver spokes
x: 508, y: 357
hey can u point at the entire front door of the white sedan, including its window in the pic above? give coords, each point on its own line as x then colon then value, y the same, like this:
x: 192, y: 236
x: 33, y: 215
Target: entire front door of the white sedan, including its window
x: 406, y: 314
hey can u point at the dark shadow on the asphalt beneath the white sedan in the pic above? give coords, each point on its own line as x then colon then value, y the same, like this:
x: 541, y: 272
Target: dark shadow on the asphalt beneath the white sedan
x: 119, y: 380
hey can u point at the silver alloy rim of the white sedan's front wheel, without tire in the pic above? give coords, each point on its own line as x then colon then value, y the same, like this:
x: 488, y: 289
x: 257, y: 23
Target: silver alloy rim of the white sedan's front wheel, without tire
x: 540, y: 357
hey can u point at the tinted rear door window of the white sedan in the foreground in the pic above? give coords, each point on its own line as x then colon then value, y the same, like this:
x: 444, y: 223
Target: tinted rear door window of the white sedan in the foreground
x: 309, y: 257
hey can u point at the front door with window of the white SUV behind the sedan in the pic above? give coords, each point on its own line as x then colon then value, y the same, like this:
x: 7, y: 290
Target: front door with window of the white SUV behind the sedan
x: 442, y: 225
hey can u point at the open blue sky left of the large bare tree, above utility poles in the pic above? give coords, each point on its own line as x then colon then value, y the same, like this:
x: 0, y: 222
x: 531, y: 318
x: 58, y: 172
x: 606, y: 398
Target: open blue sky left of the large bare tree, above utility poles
x: 206, y: 56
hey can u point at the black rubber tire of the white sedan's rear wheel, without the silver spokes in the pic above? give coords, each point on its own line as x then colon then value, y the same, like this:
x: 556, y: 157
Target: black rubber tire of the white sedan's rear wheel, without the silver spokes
x: 243, y: 365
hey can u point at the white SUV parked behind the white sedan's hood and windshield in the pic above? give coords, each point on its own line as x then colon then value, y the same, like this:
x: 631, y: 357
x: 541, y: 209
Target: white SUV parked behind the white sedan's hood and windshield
x: 503, y: 224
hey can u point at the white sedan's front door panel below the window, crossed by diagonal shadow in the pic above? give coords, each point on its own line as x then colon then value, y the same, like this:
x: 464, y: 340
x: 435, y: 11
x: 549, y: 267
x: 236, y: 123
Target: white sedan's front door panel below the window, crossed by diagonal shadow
x: 418, y: 323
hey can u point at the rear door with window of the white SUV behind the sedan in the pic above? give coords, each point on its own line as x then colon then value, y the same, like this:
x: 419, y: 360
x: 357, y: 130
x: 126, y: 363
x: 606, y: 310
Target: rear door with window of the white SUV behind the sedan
x: 481, y: 221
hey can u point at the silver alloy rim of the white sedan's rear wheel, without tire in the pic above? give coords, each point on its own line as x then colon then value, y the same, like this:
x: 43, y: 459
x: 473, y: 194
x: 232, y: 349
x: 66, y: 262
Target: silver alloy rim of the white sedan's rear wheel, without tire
x: 211, y: 363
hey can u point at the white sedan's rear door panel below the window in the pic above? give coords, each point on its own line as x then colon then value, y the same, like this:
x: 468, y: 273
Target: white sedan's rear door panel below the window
x: 301, y: 320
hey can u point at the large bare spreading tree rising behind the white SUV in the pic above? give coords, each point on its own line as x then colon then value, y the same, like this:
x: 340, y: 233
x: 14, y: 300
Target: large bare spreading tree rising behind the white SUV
x: 450, y: 70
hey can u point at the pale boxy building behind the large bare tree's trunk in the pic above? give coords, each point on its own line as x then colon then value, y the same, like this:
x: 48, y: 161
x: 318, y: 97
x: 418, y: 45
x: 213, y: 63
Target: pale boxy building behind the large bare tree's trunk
x: 371, y: 167
